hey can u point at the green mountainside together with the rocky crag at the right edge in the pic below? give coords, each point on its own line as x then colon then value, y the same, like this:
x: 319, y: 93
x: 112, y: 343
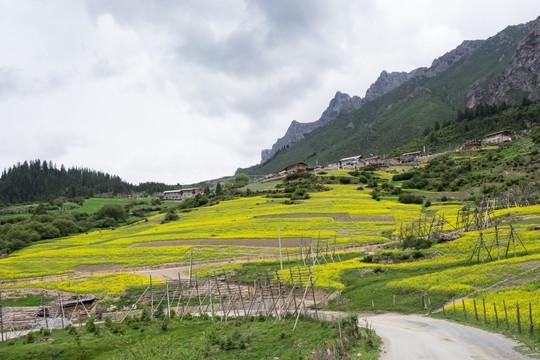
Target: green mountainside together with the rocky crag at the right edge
x: 463, y: 77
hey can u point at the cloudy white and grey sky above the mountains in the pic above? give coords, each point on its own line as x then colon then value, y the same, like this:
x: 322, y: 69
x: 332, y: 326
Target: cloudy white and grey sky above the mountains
x: 179, y: 91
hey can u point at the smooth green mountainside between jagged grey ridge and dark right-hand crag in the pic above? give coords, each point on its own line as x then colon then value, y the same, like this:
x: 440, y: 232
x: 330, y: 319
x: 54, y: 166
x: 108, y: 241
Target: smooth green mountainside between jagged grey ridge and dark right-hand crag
x: 398, y: 117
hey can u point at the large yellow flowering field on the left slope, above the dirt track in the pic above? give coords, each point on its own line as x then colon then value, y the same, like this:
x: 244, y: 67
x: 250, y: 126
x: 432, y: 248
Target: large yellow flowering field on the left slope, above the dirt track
x: 256, y: 218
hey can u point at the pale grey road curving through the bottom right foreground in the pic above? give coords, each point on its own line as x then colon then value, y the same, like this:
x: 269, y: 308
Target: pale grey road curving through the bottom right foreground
x: 418, y: 337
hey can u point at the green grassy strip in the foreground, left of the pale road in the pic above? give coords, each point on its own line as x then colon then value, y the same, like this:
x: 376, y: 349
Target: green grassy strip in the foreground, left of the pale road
x: 197, y: 338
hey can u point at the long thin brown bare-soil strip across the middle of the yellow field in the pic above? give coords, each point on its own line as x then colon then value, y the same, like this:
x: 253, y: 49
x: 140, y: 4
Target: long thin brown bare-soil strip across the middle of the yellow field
x: 269, y: 243
